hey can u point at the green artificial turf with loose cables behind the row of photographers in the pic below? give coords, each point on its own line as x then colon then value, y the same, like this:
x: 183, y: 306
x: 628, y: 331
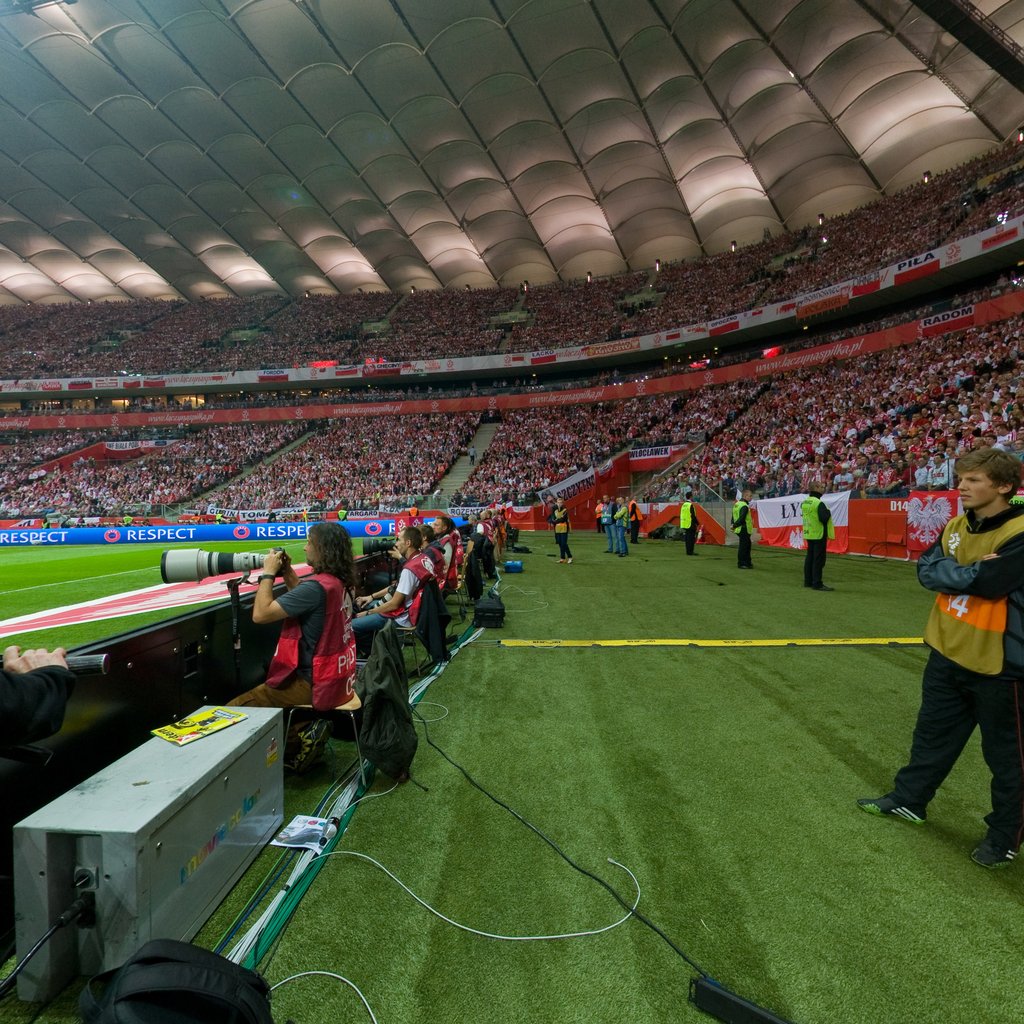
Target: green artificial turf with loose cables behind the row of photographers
x: 726, y: 779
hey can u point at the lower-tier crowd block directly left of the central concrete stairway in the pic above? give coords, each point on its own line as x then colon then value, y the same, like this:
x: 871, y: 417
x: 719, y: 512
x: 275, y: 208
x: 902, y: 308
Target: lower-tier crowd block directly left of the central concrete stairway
x: 365, y: 464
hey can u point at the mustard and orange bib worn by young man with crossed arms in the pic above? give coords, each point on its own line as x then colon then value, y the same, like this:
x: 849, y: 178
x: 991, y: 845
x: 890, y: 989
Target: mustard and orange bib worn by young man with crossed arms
x: 967, y: 629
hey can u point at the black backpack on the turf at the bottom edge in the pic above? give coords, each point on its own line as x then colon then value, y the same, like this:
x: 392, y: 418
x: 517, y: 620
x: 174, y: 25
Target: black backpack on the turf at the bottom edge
x: 170, y: 983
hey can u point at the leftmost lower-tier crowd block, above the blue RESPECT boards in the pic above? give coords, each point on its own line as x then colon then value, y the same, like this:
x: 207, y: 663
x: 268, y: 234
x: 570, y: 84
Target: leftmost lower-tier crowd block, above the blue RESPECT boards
x: 190, y: 467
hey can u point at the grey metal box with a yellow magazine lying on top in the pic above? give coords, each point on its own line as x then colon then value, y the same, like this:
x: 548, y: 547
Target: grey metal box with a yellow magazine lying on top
x: 161, y: 836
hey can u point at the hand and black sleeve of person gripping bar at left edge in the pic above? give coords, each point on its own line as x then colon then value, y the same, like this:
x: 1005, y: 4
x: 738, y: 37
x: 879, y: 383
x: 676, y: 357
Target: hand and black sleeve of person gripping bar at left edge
x: 34, y: 691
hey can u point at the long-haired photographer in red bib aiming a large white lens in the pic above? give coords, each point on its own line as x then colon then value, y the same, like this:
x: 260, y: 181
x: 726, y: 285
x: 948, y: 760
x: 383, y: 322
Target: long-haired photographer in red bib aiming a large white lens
x: 315, y: 661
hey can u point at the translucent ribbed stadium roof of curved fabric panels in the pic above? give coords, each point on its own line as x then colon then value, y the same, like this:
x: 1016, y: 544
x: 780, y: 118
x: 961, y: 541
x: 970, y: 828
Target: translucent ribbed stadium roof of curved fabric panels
x: 209, y: 148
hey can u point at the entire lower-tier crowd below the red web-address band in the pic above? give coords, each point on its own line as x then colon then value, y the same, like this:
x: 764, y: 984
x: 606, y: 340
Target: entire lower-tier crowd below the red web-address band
x: 880, y: 425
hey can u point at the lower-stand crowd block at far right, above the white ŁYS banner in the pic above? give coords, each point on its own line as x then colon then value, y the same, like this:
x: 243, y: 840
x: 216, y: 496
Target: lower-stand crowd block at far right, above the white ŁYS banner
x: 881, y: 425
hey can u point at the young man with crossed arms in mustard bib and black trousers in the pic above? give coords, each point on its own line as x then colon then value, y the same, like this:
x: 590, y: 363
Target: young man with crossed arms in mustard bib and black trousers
x: 975, y: 672
